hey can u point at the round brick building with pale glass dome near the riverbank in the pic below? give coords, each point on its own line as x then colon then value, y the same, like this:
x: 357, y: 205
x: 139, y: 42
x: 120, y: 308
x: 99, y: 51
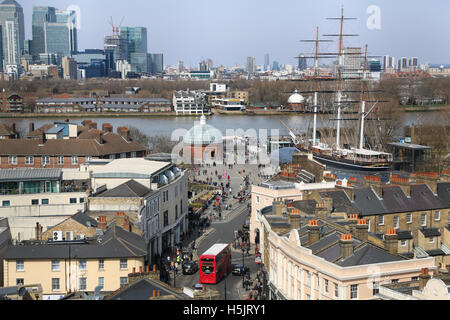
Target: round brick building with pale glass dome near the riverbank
x: 203, y: 144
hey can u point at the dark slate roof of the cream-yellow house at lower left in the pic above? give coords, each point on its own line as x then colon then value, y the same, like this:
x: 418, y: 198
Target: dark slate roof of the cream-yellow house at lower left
x: 115, y: 243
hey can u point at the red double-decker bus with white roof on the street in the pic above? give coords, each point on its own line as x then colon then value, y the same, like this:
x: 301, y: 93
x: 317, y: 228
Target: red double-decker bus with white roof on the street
x: 215, y: 263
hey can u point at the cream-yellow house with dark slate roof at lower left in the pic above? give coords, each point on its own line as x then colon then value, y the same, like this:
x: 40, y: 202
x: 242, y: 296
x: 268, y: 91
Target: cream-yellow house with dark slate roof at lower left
x: 105, y: 260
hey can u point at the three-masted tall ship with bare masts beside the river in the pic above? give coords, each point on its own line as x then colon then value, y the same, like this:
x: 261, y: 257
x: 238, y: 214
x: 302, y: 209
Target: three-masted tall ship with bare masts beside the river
x: 358, y: 157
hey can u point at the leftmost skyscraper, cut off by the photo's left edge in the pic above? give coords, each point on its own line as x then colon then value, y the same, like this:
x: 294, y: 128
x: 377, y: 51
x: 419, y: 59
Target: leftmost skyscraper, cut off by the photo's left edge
x: 13, y: 32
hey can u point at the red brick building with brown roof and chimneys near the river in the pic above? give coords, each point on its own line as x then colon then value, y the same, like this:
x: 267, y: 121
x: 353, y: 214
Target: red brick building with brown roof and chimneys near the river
x: 67, y: 145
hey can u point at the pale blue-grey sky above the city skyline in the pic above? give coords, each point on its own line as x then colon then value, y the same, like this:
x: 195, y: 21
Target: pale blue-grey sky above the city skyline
x: 228, y: 31
